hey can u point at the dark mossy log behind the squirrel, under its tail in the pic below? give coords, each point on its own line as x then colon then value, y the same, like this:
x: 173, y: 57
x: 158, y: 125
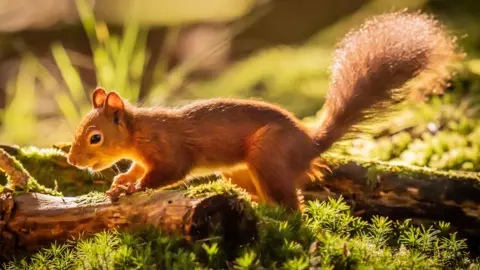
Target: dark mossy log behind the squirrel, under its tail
x: 406, y: 192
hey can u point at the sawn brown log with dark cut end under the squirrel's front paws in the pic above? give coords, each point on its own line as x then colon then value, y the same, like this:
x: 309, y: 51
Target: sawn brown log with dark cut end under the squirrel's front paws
x: 31, y: 221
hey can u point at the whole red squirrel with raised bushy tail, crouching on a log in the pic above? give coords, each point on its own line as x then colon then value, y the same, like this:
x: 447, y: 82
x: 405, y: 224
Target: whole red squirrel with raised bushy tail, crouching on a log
x: 370, y: 73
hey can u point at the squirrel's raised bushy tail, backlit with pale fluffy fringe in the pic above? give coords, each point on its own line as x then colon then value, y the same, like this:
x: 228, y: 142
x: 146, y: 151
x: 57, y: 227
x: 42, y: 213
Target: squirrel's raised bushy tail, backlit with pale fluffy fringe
x: 373, y: 66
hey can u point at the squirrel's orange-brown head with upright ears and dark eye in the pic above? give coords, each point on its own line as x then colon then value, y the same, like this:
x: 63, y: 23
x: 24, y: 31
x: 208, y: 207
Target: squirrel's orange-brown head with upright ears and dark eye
x: 102, y: 138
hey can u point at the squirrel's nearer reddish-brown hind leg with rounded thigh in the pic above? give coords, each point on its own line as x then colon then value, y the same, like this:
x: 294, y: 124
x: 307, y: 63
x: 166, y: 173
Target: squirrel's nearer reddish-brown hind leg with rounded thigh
x: 276, y: 158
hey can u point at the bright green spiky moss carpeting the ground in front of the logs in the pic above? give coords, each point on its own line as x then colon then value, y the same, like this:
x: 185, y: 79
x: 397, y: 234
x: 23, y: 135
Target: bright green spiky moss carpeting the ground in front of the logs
x: 326, y: 236
